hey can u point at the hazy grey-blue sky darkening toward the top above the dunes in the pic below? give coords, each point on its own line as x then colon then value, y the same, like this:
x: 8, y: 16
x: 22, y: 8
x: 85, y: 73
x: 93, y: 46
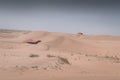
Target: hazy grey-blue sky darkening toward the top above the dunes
x: 69, y: 16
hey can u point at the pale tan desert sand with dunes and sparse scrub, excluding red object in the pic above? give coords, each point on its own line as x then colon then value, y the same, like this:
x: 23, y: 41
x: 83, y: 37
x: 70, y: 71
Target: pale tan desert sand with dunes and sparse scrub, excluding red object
x: 59, y: 56
